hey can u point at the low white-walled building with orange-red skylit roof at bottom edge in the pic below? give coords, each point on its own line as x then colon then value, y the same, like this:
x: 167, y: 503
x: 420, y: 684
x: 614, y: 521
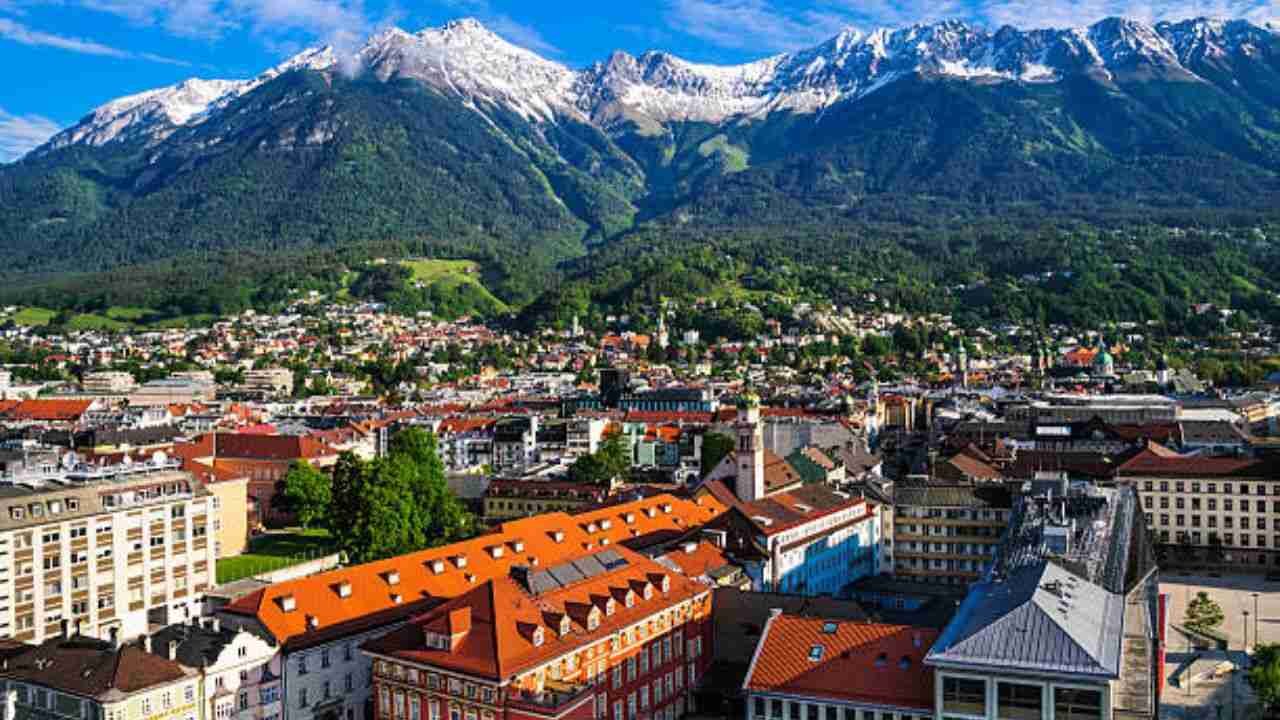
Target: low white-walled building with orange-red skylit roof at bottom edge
x: 834, y: 669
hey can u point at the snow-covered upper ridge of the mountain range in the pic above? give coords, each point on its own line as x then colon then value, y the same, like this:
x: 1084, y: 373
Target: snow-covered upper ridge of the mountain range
x: 467, y: 60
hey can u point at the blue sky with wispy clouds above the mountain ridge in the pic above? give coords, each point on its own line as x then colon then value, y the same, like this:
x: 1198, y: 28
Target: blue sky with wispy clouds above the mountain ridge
x: 63, y: 58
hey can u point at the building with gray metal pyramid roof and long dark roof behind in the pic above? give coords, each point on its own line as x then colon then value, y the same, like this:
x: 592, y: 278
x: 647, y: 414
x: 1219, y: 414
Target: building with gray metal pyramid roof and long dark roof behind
x: 1067, y: 623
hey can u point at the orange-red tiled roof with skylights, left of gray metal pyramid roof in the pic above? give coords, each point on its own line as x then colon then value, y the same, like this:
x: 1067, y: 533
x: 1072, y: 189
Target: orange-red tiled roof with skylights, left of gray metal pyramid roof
x: 861, y: 662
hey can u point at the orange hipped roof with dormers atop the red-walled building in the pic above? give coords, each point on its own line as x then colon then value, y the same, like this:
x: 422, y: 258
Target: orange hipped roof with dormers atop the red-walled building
x: 492, y: 628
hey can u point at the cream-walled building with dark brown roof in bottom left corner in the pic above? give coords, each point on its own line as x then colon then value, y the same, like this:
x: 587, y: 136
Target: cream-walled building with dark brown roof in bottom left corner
x: 92, y: 678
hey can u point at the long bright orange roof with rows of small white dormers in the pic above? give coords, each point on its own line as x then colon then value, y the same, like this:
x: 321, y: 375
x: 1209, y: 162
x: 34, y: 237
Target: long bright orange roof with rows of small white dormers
x: 459, y: 568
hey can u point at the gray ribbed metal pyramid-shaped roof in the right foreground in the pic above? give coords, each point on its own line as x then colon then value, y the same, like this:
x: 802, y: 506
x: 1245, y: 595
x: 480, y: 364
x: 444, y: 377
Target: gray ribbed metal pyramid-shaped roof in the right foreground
x: 1041, y: 619
